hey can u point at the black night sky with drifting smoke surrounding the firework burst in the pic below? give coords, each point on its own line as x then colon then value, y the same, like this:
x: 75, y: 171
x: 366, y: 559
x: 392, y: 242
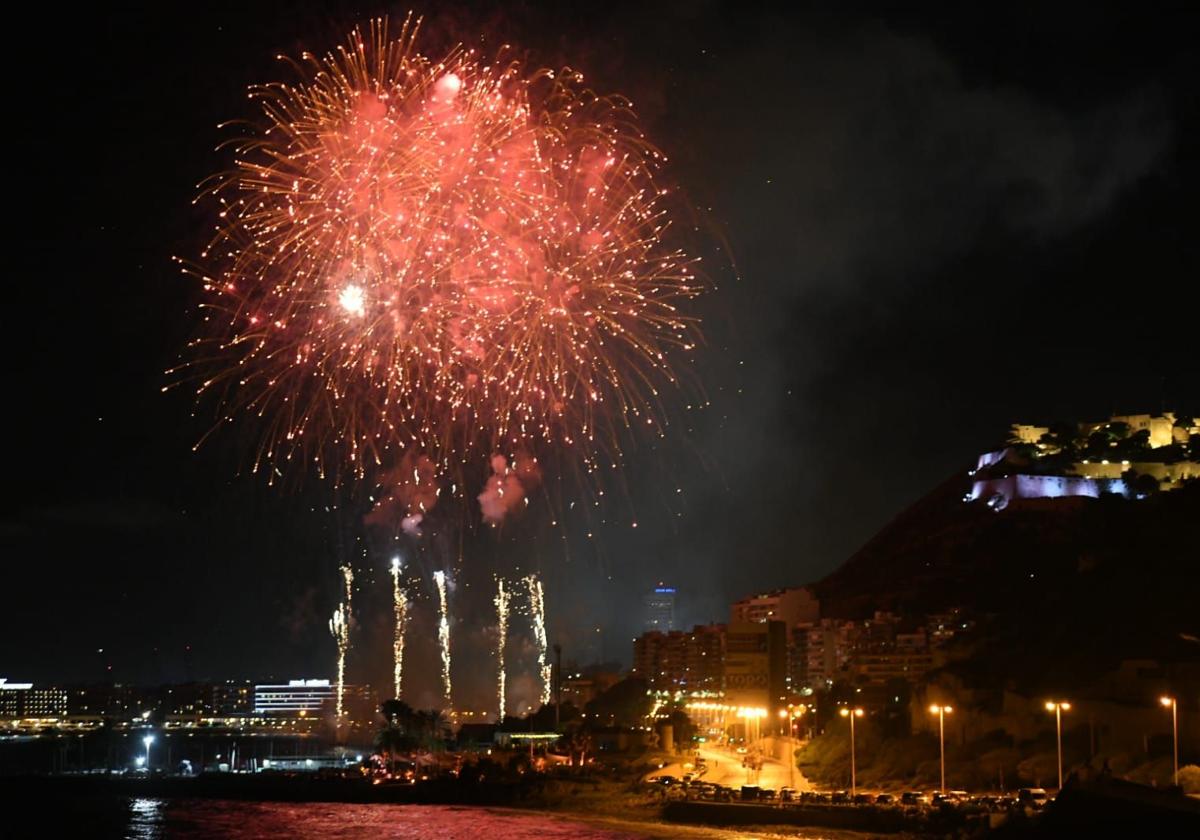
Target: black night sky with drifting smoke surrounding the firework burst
x: 940, y: 224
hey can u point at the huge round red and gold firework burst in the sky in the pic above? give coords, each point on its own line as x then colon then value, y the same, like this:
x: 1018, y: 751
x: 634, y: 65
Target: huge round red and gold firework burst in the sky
x: 453, y: 256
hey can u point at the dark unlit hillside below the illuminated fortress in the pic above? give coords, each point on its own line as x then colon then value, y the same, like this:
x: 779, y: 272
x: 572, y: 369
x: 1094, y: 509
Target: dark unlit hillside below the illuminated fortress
x: 1071, y: 585
